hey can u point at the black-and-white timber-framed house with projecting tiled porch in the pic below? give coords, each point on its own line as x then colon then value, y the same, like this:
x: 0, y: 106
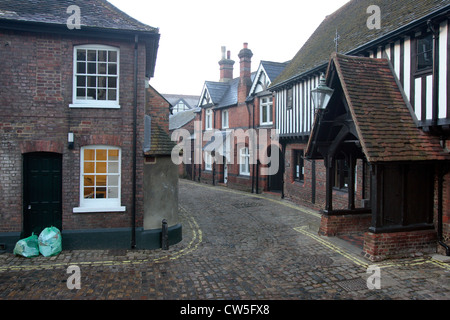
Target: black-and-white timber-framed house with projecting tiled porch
x: 375, y: 159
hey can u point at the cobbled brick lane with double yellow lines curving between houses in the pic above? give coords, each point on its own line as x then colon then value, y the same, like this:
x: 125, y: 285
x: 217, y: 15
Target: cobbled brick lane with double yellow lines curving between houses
x: 236, y: 245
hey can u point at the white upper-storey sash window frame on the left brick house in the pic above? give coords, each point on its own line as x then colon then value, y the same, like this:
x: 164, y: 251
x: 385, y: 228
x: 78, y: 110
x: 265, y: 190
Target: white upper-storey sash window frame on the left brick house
x: 85, y: 103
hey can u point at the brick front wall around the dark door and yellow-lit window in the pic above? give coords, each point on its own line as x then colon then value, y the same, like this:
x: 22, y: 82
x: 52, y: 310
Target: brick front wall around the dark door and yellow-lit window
x: 36, y: 90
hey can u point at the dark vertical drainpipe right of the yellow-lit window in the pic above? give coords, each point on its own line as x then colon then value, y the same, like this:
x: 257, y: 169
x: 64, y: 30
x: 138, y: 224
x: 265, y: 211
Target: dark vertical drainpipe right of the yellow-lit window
x: 133, y: 205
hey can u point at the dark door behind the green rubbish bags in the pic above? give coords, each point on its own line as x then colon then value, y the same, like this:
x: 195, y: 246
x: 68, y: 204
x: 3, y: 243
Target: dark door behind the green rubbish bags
x: 42, y: 192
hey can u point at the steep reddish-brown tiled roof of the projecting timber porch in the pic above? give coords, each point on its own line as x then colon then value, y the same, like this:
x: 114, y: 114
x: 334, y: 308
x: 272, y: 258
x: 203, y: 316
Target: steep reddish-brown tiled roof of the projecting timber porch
x: 384, y: 122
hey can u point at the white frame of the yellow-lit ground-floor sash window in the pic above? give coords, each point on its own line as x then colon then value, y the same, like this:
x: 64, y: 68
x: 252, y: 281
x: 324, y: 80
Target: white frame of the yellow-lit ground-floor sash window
x: 100, y: 204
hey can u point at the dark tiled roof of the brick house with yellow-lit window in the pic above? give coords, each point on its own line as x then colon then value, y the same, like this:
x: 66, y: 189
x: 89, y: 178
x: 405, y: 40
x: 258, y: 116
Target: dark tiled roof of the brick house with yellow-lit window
x: 93, y: 13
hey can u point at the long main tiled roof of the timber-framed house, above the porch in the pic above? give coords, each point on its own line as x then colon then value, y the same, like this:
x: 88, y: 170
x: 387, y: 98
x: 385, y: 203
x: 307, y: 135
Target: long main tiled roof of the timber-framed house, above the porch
x: 350, y: 21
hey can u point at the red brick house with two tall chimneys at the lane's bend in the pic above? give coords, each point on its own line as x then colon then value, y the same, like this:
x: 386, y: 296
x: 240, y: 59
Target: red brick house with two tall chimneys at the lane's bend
x: 239, y: 113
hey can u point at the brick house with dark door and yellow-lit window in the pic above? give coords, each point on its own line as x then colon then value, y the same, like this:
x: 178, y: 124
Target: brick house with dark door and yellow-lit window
x: 73, y: 99
